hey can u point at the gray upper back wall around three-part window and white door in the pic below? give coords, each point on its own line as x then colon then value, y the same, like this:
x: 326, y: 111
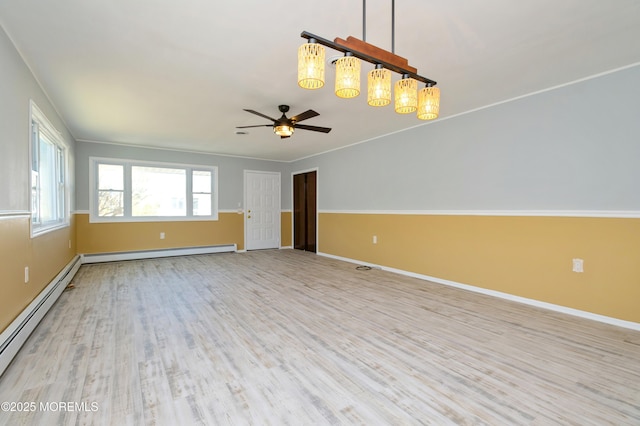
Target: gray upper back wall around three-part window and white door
x: 230, y: 169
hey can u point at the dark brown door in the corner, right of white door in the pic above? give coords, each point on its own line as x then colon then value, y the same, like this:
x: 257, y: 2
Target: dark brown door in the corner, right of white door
x: 304, y: 211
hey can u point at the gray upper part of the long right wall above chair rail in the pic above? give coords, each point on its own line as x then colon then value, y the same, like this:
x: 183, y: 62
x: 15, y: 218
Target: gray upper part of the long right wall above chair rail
x: 576, y: 147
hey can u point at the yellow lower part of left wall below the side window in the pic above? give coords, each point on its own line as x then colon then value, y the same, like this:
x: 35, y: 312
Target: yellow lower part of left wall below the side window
x: 45, y: 255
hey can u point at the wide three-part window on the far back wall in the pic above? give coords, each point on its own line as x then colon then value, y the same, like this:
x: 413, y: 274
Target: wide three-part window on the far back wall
x: 130, y: 190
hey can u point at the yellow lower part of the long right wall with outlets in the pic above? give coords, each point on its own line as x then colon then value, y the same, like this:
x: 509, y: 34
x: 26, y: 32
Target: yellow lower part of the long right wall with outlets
x: 529, y: 257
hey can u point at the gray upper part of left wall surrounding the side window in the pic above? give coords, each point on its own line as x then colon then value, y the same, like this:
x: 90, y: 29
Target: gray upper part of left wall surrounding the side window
x: 17, y: 88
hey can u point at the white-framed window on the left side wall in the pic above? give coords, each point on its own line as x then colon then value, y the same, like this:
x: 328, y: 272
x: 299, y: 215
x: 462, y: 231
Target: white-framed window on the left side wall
x: 48, y: 175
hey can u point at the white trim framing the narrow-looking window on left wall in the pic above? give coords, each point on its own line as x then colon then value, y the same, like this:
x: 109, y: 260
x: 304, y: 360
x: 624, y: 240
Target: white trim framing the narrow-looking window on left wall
x: 37, y: 117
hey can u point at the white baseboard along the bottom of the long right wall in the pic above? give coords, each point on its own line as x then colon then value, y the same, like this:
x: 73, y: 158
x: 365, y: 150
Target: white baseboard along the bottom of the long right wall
x: 532, y: 302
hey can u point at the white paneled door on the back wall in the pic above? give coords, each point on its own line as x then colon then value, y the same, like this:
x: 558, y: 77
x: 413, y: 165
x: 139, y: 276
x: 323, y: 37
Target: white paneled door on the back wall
x: 262, y: 210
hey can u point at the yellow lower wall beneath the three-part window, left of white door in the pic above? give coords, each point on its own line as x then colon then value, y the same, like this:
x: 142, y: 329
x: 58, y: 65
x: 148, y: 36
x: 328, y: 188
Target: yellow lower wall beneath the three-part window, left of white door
x: 133, y: 236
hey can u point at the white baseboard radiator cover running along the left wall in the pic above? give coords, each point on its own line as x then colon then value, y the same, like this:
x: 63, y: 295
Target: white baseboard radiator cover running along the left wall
x: 16, y: 334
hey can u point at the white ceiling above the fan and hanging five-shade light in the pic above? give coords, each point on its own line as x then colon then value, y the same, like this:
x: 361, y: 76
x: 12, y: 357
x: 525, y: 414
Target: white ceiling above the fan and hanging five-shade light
x: 177, y: 74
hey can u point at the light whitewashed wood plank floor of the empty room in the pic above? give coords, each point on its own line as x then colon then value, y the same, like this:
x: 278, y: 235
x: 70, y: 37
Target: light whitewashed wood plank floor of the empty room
x: 287, y: 337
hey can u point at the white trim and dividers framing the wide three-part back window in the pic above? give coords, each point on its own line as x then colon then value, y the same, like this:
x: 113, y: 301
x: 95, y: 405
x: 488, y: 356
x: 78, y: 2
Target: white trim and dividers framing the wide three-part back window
x: 128, y: 164
